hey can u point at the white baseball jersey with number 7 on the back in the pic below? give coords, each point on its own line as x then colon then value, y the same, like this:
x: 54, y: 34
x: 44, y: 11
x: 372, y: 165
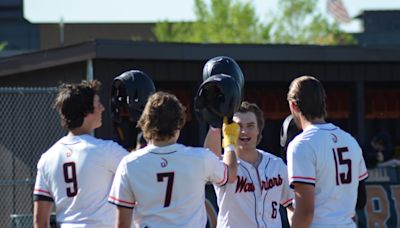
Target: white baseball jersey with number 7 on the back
x: 166, y: 185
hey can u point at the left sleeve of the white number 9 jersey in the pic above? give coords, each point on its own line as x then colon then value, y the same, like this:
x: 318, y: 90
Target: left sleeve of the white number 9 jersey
x: 41, y: 190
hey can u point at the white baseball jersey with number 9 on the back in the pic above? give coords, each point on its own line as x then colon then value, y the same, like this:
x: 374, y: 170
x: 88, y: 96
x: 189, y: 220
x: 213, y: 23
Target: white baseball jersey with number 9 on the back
x: 76, y: 173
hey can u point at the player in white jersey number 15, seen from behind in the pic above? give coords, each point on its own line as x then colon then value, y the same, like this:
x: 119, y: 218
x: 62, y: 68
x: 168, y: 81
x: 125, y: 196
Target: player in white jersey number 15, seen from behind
x: 325, y: 163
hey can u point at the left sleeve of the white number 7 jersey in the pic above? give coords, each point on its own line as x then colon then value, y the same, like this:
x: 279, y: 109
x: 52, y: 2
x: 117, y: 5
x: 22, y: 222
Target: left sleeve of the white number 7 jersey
x: 121, y: 194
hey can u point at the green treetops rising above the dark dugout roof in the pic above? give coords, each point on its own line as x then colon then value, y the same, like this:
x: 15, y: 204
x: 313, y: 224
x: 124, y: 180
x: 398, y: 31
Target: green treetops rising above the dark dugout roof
x: 235, y: 21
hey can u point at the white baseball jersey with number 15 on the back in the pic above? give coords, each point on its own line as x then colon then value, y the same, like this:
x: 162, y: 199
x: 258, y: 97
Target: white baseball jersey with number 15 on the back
x: 329, y: 158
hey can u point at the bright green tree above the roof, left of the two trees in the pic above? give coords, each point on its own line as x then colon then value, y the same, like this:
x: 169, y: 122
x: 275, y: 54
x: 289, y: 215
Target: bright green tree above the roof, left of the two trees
x: 224, y: 21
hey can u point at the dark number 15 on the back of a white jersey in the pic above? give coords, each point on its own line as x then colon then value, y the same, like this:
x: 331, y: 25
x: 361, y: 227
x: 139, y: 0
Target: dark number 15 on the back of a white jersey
x: 345, y: 178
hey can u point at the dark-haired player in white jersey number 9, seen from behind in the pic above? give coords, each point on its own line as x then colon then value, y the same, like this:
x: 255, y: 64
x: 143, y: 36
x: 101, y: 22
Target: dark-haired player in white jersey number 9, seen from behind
x: 76, y: 173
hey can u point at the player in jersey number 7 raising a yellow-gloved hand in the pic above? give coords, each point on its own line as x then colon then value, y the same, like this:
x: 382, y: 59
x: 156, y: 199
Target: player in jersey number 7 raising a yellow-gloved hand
x: 164, y: 182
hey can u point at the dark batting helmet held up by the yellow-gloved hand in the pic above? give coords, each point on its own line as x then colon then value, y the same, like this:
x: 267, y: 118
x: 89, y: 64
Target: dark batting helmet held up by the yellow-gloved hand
x: 217, y: 96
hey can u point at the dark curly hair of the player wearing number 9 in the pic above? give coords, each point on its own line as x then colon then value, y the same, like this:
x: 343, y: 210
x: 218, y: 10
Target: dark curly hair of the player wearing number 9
x: 74, y: 101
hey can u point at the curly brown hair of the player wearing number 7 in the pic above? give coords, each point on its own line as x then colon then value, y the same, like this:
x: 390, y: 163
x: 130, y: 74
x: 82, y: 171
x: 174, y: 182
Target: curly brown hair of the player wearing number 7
x: 162, y: 116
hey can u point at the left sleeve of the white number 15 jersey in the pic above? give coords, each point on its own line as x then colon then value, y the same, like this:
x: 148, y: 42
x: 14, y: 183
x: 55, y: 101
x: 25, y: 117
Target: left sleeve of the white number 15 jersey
x: 301, y: 164
